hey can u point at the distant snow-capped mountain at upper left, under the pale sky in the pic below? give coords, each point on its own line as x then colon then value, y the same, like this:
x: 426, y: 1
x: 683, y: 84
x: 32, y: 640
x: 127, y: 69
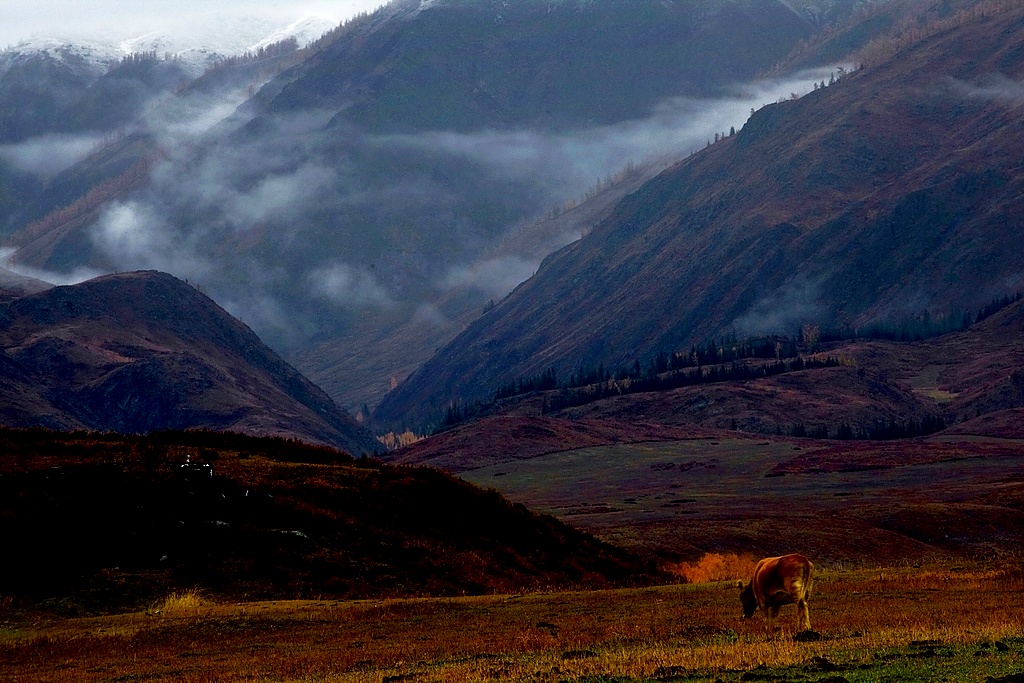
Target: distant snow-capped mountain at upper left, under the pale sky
x: 77, y: 119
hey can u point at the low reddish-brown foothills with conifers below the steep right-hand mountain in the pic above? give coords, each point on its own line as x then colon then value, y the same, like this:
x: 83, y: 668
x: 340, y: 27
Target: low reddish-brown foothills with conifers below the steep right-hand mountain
x: 970, y: 382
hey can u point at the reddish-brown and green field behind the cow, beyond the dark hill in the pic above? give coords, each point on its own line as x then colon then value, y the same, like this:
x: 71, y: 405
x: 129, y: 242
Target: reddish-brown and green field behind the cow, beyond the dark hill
x: 884, y: 503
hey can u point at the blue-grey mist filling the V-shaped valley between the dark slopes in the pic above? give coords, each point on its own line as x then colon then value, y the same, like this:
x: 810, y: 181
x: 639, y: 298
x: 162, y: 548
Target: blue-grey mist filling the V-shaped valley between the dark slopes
x: 372, y: 248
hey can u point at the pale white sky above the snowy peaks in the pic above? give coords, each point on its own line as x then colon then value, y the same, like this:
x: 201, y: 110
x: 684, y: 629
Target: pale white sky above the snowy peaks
x: 22, y: 20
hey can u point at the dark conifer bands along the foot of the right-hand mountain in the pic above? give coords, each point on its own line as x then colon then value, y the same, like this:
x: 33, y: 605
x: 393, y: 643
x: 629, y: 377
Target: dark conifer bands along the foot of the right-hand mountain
x: 740, y: 362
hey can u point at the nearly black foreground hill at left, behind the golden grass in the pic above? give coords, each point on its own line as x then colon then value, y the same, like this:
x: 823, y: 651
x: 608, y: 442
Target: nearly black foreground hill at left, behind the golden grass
x: 101, y: 522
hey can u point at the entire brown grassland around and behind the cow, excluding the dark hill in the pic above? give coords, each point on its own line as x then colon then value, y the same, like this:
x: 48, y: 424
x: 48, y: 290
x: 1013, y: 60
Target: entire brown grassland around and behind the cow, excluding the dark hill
x: 933, y: 595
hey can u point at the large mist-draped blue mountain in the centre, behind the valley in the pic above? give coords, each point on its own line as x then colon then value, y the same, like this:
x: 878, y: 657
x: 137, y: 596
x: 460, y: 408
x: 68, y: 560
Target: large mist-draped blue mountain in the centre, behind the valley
x: 366, y: 180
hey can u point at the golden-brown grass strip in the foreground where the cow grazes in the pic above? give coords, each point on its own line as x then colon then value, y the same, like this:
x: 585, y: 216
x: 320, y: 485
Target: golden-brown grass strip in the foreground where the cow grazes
x: 905, y: 624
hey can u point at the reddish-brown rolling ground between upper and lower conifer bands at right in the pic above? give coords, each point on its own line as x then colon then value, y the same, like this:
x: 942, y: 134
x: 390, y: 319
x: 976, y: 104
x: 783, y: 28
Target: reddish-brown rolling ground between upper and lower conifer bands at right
x: 959, y: 376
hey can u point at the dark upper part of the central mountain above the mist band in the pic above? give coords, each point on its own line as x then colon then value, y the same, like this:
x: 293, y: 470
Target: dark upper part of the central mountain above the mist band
x: 465, y: 66
